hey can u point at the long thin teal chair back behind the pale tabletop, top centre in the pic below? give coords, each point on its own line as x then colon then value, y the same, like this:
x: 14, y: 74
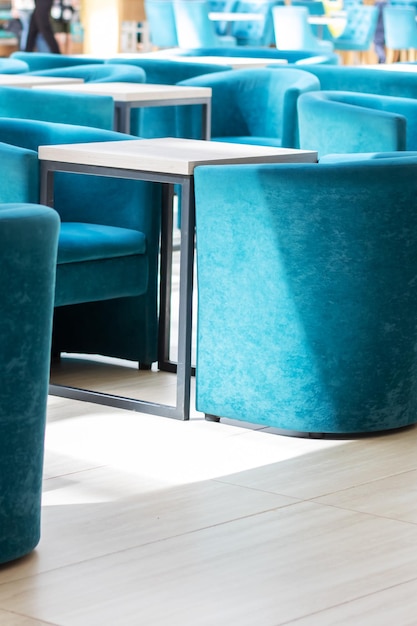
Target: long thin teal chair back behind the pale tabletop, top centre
x: 298, y: 57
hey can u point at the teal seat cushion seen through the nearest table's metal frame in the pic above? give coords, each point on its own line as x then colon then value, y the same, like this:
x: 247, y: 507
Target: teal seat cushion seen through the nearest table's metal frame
x: 86, y: 242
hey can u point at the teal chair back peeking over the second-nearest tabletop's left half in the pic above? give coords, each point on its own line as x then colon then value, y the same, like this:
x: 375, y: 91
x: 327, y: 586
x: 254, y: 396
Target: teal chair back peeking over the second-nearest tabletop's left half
x: 97, y: 73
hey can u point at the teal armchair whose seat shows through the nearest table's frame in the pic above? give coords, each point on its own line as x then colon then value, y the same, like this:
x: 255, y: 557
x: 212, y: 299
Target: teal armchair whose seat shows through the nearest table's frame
x: 107, y: 273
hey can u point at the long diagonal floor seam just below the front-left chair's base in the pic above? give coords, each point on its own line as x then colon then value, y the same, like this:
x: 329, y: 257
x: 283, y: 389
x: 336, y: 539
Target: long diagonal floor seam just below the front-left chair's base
x: 139, y: 546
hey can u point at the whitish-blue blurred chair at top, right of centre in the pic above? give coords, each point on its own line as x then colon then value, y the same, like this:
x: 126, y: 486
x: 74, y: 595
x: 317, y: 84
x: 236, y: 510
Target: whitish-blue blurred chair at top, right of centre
x: 292, y: 30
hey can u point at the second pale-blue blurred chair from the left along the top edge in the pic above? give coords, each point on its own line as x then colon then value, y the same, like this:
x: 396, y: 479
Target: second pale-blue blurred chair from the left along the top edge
x: 194, y: 27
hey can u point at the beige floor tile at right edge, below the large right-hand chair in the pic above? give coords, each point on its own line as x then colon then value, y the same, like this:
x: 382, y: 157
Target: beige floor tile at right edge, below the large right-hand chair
x: 324, y: 470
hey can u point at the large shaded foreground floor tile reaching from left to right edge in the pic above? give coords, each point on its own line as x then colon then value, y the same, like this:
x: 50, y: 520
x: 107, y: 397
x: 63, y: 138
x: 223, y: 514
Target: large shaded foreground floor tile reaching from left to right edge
x: 266, y: 569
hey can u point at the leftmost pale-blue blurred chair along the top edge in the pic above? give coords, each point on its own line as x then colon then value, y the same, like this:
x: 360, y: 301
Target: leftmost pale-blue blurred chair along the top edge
x: 161, y: 22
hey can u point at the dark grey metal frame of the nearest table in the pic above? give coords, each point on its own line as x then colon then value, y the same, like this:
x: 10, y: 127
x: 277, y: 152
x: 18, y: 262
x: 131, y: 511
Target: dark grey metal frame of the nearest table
x: 183, y: 368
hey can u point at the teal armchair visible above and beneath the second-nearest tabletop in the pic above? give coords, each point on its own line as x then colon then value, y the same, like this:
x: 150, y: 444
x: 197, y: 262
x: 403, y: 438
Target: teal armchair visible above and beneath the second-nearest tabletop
x: 161, y: 121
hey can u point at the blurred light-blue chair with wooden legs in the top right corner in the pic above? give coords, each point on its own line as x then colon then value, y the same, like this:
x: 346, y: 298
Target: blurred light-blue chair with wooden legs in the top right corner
x: 400, y: 30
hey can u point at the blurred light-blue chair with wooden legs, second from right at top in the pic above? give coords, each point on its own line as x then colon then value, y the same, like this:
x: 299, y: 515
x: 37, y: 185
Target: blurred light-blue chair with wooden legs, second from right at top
x: 357, y: 38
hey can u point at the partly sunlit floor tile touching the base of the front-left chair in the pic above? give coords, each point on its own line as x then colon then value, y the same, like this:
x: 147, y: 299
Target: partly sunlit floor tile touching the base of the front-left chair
x: 89, y: 514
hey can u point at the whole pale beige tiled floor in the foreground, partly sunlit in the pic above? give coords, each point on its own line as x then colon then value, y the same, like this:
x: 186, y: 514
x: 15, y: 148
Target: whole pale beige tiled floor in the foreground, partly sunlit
x: 151, y: 521
